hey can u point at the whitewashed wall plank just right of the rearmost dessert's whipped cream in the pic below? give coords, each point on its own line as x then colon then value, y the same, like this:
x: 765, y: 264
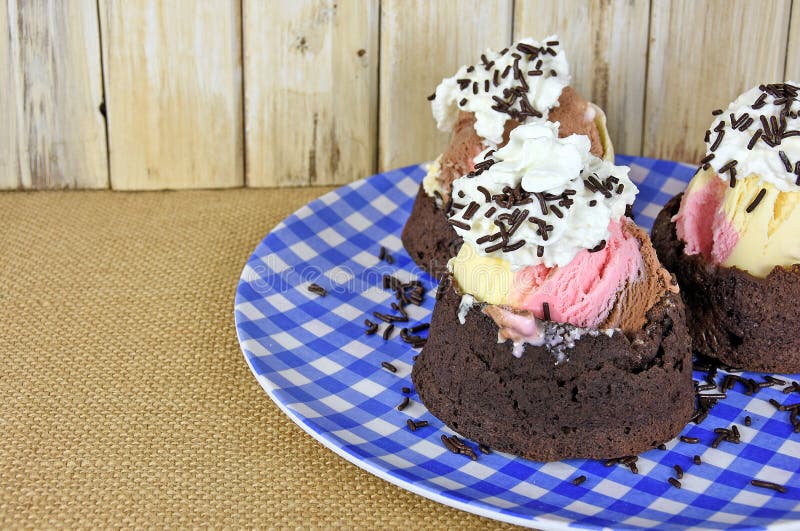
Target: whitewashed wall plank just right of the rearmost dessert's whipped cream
x: 608, y: 64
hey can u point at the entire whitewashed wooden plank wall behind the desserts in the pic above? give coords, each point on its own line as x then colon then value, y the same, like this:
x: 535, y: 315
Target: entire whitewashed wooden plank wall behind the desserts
x: 221, y: 93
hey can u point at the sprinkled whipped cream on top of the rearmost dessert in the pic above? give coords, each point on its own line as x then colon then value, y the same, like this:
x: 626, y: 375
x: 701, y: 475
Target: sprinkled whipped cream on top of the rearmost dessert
x: 522, y: 82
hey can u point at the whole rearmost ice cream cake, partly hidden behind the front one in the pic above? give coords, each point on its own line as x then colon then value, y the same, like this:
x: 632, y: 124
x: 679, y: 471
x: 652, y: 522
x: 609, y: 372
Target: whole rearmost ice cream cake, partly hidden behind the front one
x: 480, y: 105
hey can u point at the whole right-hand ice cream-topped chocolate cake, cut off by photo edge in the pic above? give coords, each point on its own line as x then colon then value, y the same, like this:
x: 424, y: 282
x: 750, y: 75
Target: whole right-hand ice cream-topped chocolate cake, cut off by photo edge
x: 733, y: 237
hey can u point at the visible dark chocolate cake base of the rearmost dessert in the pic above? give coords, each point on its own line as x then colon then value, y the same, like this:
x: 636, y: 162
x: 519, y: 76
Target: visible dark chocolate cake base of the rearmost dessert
x: 428, y: 237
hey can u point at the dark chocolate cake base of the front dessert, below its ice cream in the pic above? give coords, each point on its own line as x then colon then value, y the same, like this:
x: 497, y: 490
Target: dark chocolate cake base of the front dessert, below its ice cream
x: 614, y: 396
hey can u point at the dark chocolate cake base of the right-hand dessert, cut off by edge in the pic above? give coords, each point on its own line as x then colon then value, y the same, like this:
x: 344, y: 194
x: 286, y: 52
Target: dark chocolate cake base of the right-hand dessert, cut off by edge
x: 741, y: 320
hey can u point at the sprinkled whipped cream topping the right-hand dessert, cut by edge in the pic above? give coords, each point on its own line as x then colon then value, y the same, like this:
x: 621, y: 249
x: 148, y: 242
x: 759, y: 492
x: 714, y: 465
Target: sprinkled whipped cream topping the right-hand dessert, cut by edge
x: 759, y: 133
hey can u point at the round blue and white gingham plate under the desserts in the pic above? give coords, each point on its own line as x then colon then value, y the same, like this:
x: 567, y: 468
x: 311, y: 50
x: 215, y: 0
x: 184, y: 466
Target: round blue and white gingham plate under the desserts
x: 311, y: 356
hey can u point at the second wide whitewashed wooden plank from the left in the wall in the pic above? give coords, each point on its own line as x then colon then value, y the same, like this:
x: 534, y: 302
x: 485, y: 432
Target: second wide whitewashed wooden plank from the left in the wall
x: 173, y: 83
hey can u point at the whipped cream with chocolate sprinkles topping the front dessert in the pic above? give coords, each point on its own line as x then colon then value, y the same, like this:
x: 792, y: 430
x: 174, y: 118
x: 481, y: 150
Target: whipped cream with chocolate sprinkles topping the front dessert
x: 540, y: 199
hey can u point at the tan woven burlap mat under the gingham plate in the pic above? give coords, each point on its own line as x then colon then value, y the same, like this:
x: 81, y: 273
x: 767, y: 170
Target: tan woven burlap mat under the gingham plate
x: 124, y: 397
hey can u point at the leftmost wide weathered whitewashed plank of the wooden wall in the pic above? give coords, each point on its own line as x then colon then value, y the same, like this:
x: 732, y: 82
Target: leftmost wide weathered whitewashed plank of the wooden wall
x: 53, y: 74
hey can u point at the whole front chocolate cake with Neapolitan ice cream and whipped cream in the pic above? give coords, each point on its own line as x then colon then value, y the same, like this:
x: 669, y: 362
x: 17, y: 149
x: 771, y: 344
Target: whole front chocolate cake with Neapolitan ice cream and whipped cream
x: 557, y: 333
